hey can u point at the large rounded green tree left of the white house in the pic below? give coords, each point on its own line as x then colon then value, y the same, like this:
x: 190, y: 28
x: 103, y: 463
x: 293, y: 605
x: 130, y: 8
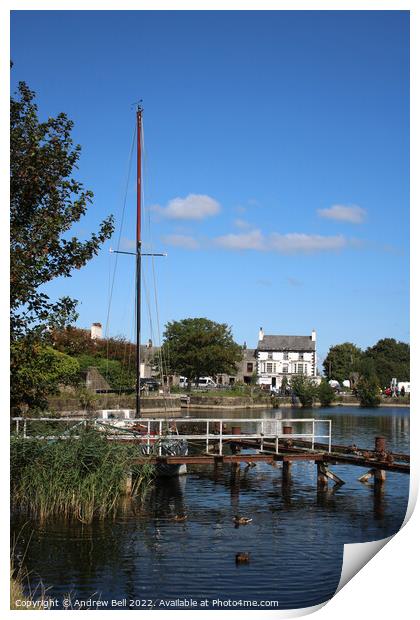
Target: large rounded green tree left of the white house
x: 199, y: 347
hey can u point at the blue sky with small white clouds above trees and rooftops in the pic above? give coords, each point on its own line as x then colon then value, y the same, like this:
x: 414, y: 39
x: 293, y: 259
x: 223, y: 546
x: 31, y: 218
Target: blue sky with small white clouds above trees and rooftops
x: 276, y: 170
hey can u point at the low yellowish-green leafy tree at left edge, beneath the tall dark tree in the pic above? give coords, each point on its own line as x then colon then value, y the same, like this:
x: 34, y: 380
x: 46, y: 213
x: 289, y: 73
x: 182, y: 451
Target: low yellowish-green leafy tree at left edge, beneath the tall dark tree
x: 39, y: 374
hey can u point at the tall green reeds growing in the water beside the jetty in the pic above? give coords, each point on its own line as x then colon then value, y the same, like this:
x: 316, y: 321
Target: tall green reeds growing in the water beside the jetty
x: 80, y: 478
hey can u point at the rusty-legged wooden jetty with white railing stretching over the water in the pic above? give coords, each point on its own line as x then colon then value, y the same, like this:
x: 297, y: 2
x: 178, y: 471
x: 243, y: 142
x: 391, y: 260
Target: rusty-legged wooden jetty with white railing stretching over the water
x: 221, y: 441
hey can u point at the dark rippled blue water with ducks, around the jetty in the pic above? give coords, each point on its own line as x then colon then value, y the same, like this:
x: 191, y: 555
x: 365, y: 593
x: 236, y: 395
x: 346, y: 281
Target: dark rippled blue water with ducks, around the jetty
x: 295, y: 540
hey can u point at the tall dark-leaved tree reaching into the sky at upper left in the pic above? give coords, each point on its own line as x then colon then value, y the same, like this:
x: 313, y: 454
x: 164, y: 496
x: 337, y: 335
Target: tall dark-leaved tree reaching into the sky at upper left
x: 45, y: 202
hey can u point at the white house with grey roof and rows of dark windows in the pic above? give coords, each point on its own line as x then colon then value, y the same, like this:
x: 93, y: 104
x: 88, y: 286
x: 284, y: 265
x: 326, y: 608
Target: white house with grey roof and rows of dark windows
x: 285, y: 356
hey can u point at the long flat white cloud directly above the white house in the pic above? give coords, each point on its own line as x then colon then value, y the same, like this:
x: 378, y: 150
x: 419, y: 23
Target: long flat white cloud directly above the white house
x: 294, y: 243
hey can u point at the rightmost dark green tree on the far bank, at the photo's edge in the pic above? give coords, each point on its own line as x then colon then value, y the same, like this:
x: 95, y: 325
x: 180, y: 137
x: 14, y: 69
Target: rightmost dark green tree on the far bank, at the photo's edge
x: 390, y: 358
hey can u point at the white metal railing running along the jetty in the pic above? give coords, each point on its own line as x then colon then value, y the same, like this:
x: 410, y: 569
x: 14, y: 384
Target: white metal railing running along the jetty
x: 150, y: 430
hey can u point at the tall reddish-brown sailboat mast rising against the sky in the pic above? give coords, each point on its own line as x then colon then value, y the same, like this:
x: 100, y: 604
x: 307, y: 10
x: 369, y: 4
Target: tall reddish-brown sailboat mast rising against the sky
x: 138, y: 261
